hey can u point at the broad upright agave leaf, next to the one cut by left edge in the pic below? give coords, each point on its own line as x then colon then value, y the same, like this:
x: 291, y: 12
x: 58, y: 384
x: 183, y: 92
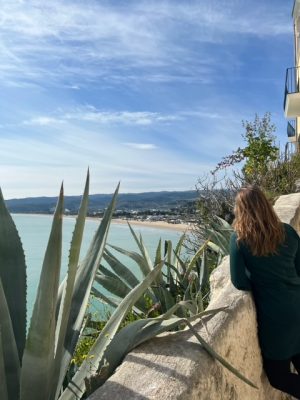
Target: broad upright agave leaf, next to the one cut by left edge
x: 38, y: 358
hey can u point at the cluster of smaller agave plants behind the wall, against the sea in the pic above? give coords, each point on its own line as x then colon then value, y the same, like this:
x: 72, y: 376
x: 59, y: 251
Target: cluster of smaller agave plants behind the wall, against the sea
x: 181, y: 279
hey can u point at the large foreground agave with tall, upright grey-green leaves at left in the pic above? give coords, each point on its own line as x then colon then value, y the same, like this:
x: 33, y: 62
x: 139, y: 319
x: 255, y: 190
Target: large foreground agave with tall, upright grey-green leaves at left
x: 33, y: 367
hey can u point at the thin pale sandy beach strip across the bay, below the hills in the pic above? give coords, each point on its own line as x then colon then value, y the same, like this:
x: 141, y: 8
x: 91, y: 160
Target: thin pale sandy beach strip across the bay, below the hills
x: 118, y: 221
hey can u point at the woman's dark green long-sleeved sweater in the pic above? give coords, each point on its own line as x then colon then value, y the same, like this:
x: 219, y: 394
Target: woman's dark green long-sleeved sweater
x: 275, y: 283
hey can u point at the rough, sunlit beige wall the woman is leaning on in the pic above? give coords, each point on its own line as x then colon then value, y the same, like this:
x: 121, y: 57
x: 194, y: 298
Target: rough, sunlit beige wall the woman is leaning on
x: 174, y: 366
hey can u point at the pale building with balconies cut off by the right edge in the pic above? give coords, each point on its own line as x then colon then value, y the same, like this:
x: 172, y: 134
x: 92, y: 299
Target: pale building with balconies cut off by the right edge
x: 292, y: 85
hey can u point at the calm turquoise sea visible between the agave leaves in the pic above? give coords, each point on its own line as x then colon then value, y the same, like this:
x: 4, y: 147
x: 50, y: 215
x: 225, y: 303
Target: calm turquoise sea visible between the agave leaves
x: 34, y: 231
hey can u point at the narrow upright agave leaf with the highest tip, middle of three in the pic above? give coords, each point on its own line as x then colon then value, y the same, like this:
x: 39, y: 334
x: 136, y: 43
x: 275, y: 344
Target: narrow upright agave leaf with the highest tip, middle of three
x: 59, y: 373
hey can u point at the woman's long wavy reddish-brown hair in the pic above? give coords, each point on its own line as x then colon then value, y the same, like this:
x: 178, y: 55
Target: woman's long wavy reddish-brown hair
x: 256, y: 222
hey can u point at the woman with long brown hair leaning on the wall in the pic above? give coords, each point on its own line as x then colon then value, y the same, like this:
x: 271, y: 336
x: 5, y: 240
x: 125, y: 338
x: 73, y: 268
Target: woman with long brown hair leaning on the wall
x: 265, y: 258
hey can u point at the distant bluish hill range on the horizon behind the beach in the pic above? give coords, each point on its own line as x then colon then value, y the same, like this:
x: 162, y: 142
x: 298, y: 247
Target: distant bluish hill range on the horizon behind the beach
x: 97, y: 202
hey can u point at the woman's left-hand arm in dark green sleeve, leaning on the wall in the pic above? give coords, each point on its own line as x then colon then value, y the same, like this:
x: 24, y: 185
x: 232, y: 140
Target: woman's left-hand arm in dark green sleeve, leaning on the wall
x: 237, y: 266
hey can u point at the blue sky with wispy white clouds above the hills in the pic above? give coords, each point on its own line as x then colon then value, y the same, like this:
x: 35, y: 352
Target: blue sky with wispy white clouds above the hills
x: 150, y: 93
